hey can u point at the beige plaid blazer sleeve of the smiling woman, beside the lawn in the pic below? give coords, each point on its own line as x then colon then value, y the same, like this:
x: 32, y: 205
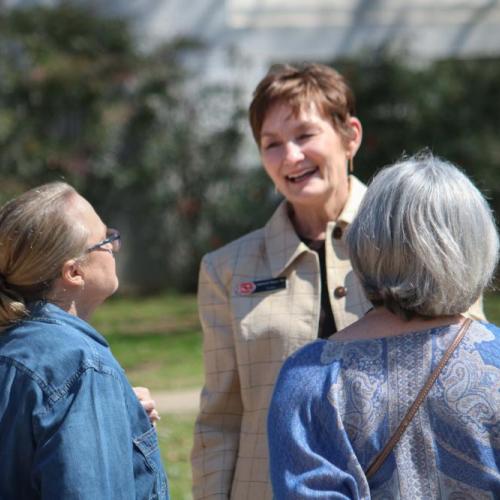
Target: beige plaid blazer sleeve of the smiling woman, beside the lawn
x: 217, y: 428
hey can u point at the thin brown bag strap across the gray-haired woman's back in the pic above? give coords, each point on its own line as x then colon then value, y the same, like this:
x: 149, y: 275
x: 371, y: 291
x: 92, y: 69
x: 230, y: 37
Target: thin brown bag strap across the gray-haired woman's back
x: 381, y: 457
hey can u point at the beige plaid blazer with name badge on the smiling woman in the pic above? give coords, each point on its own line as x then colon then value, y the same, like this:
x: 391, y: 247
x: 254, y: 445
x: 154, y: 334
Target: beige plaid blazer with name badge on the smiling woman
x: 252, y: 321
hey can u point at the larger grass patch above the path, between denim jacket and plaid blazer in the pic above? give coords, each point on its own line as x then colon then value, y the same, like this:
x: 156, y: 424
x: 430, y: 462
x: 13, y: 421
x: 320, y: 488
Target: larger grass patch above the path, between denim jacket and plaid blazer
x: 156, y: 339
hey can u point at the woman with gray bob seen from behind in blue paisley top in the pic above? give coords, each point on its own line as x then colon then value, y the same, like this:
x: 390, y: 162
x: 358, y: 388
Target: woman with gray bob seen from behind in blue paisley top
x: 404, y: 403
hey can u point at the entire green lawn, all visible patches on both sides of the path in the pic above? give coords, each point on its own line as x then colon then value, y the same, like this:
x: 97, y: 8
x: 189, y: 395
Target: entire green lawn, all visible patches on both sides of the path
x: 158, y: 341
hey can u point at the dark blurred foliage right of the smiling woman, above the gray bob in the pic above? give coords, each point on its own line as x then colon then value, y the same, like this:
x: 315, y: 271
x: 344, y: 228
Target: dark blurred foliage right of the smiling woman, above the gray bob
x: 450, y: 106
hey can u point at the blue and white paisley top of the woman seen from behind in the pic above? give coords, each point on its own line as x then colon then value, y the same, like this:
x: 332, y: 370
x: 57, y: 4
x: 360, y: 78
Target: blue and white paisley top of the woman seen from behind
x: 337, y: 403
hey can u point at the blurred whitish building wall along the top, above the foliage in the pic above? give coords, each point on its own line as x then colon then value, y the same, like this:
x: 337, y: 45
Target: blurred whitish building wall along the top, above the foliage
x: 243, y: 37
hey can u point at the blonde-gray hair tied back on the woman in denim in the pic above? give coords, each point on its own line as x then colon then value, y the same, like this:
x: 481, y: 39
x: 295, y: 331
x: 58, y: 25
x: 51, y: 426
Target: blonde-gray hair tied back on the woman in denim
x: 36, y: 237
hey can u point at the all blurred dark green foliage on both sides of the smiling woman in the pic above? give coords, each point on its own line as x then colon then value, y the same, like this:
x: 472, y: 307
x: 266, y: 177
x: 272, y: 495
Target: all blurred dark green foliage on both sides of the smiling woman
x: 157, y: 151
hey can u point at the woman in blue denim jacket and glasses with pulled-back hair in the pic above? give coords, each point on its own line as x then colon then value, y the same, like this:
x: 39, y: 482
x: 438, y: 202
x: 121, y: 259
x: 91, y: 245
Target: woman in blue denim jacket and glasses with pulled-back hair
x: 70, y: 424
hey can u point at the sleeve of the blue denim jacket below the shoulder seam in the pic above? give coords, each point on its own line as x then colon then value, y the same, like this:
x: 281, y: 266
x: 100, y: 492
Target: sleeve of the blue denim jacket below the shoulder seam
x: 85, y: 444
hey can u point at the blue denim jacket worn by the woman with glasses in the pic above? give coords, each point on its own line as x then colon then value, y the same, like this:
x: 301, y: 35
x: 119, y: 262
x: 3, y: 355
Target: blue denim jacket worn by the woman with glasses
x: 70, y: 424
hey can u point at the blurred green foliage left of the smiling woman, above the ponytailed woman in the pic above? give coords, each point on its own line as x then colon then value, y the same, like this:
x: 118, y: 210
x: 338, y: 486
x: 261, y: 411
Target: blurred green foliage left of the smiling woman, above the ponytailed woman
x: 153, y: 149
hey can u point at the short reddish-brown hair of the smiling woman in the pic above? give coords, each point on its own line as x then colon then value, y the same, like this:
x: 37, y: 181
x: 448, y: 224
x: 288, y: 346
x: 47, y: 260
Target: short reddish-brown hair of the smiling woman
x: 300, y: 86
